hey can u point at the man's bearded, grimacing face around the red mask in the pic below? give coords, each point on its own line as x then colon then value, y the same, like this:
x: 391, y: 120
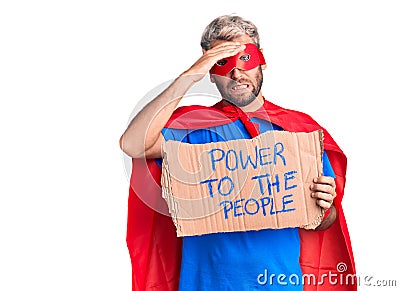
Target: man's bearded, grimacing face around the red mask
x: 240, y: 87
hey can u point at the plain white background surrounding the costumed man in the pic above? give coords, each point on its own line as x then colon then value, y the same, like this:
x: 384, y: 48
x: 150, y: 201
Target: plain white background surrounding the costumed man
x: 71, y: 73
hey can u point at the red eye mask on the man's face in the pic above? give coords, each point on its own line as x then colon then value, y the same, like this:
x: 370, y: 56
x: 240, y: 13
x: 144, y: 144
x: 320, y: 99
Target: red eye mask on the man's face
x: 248, y: 59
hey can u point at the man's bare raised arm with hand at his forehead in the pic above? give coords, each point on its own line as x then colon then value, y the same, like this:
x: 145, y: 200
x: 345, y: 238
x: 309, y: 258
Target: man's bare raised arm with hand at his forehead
x: 143, y: 136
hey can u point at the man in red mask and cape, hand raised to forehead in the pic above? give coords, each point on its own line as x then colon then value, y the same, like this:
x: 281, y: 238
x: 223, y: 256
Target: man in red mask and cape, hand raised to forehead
x: 230, y: 261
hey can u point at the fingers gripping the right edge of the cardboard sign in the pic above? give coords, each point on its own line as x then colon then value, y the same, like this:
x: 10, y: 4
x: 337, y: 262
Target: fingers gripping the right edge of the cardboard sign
x: 323, y: 189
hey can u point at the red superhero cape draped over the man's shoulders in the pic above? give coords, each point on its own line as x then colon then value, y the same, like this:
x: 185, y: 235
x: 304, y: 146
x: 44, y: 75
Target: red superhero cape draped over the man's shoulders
x: 151, y: 237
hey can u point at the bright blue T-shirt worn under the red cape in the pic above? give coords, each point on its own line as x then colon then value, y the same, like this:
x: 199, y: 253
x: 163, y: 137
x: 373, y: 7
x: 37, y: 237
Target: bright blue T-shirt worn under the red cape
x: 238, y: 260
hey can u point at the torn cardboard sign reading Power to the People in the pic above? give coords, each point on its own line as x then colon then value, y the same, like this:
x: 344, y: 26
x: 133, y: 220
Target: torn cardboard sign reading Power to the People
x: 245, y: 184
